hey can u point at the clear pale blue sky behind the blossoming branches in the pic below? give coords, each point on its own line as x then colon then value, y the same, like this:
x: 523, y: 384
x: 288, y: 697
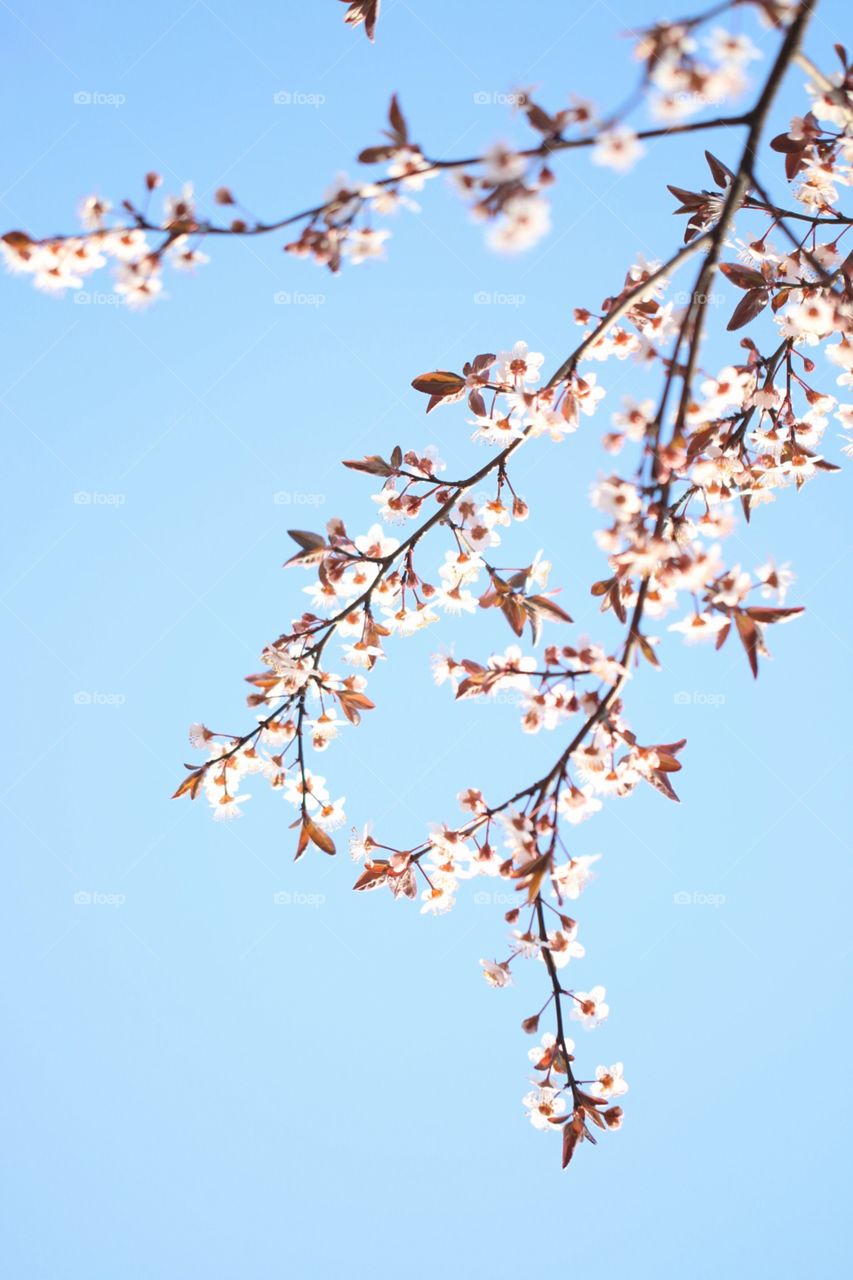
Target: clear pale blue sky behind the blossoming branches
x: 203, y: 1081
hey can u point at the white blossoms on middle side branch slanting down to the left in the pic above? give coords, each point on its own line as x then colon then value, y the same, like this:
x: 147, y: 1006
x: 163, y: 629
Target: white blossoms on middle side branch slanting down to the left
x: 367, y: 588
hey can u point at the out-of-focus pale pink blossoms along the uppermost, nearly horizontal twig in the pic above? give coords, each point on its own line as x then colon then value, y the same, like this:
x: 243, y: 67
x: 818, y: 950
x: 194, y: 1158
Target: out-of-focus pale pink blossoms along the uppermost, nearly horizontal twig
x: 507, y: 188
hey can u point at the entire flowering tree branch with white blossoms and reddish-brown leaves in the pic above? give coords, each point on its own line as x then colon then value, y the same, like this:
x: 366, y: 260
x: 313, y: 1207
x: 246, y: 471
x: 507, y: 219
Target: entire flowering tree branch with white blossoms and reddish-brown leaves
x: 708, y: 445
